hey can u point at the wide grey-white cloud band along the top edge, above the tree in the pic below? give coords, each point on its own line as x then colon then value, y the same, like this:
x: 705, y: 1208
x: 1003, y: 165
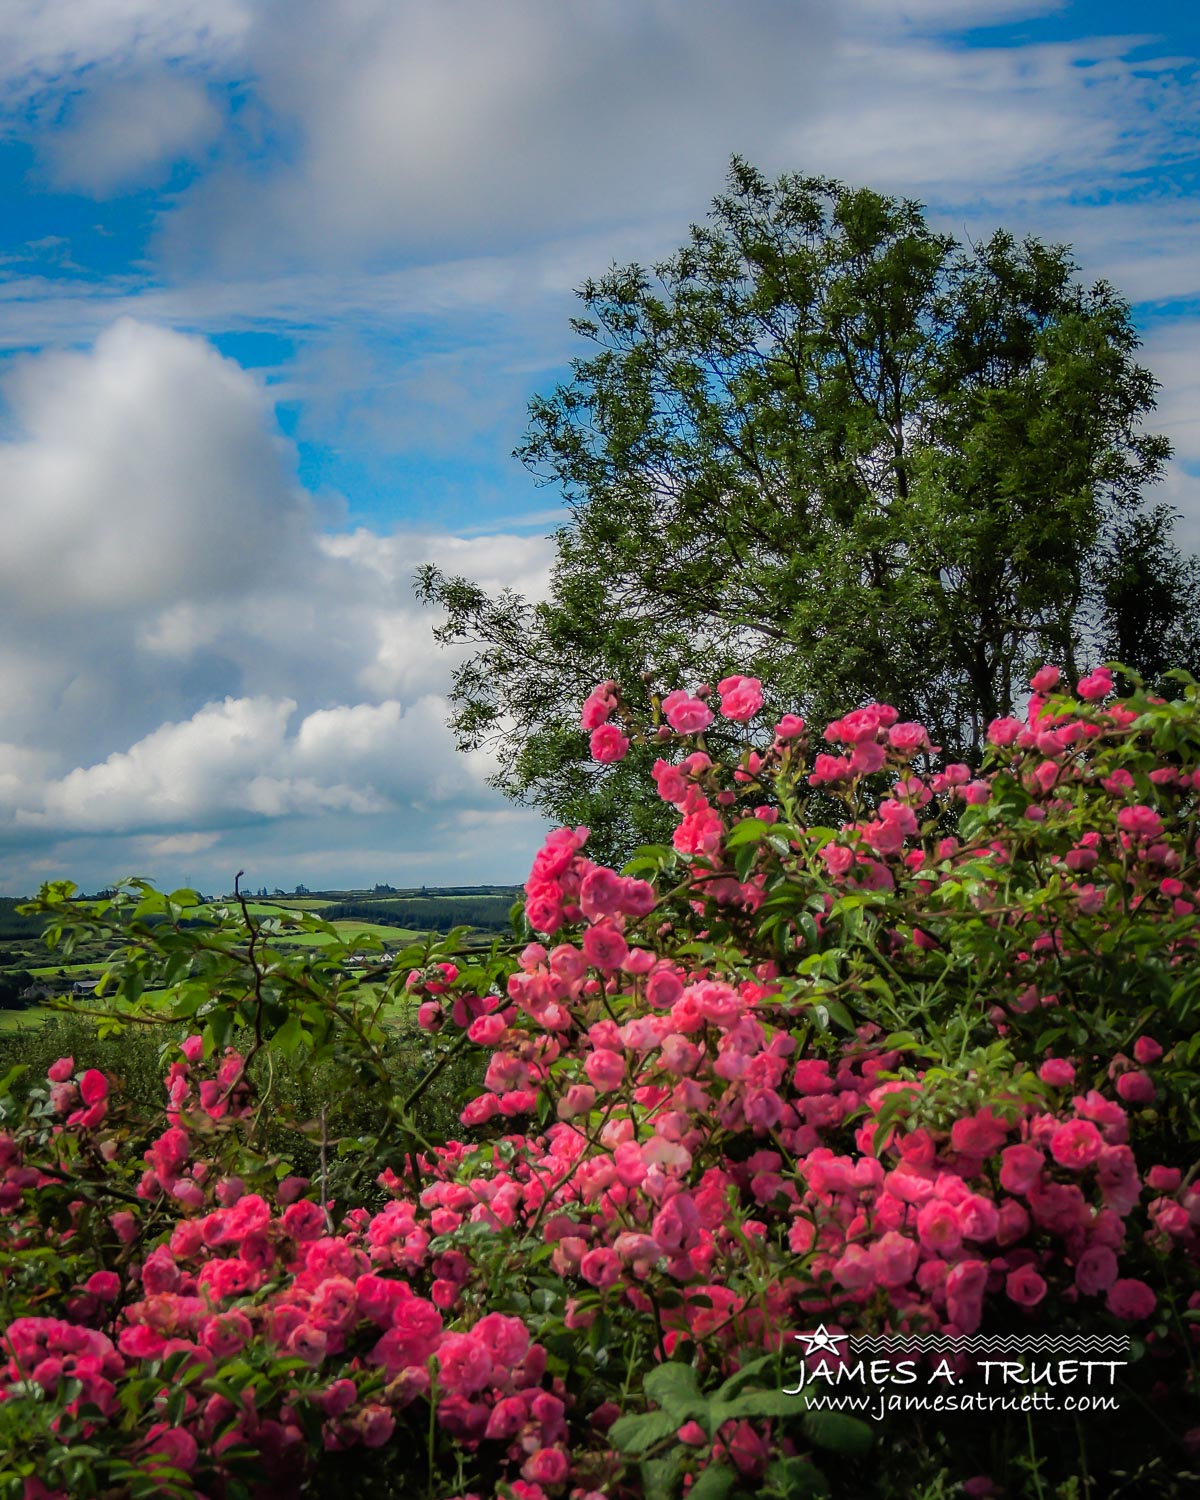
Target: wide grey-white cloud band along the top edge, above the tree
x: 436, y: 130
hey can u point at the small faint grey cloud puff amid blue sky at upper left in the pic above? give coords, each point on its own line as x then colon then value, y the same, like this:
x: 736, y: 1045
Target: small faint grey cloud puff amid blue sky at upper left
x: 128, y: 133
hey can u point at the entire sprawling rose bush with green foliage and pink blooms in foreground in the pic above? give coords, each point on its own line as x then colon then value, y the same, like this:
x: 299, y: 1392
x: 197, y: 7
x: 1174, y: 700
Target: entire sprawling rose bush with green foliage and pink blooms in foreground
x: 926, y: 1069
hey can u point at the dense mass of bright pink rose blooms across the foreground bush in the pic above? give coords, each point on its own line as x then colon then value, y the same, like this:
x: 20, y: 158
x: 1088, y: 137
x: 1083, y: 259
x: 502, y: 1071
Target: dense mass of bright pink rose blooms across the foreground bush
x: 677, y: 1129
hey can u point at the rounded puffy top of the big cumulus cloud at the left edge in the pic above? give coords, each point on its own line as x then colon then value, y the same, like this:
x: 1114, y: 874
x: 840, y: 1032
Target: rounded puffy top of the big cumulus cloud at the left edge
x: 145, y: 473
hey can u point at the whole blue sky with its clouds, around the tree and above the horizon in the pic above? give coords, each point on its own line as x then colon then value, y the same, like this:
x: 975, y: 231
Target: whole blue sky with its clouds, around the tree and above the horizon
x: 278, y: 280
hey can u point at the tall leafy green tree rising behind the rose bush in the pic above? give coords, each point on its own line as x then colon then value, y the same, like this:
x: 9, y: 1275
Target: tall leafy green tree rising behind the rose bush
x: 830, y: 446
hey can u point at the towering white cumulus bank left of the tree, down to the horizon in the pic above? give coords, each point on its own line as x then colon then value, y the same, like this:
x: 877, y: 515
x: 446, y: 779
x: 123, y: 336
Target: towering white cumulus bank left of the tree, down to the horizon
x: 187, y: 656
